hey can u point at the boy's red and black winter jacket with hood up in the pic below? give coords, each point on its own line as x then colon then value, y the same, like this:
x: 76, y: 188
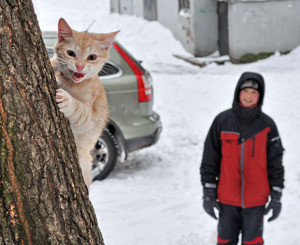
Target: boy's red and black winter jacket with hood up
x: 243, y: 153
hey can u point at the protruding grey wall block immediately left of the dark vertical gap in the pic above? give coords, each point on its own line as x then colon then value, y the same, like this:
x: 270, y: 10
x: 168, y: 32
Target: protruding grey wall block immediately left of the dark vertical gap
x: 196, y: 29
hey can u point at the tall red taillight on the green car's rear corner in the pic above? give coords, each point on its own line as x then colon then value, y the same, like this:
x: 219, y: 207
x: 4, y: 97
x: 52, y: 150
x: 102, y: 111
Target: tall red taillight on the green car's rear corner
x: 144, y: 85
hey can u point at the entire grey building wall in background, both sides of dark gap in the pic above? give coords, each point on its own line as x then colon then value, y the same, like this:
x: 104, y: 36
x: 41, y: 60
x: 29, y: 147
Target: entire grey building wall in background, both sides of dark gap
x: 248, y: 26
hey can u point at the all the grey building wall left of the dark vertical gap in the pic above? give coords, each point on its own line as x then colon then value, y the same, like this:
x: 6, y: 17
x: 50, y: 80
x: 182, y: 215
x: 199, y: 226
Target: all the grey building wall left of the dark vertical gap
x: 196, y: 29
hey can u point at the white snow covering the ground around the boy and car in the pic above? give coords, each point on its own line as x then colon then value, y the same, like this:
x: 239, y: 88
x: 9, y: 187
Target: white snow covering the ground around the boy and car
x: 155, y: 196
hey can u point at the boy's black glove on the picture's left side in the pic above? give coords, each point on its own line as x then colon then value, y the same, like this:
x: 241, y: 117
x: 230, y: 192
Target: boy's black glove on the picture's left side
x: 210, y: 201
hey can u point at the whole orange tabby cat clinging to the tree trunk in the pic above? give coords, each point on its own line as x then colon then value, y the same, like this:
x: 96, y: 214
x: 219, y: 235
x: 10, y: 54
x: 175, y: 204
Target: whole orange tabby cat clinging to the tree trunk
x: 81, y: 97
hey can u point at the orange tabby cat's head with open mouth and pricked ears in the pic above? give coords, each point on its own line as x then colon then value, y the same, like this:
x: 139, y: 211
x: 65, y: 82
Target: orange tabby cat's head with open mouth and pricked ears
x: 81, y: 55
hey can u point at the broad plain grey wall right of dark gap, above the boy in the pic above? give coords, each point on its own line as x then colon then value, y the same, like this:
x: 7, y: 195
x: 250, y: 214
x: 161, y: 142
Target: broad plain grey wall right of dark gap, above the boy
x: 263, y: 26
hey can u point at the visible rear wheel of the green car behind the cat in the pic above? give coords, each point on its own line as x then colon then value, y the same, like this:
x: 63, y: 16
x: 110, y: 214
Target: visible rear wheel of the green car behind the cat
x: 105, y: 155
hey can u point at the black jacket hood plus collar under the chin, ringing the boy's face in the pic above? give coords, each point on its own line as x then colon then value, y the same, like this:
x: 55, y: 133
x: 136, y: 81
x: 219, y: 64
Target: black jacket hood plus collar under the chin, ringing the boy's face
x: 248, y: 114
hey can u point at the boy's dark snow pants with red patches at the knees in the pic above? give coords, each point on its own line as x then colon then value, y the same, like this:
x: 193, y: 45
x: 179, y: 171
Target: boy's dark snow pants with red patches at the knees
x: 234, y: 220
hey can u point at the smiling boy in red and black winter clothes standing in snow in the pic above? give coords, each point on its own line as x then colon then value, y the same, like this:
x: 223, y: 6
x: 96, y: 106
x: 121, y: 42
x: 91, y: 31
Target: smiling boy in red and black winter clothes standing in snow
x: 242, y: 165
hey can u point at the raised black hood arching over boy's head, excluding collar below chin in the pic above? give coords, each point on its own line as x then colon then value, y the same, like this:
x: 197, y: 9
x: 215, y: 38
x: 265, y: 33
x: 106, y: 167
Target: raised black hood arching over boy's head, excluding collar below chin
x: 250, y: 76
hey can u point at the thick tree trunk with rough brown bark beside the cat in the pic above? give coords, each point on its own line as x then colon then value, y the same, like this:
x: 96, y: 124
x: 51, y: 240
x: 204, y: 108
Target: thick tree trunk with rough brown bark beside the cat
x: 43, y: 199
